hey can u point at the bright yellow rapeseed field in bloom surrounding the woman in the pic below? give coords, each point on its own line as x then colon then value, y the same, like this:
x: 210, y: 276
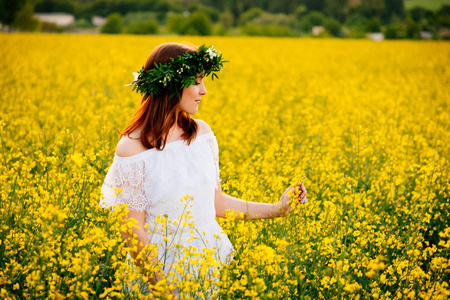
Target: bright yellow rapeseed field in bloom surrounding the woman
x: 365, y: 125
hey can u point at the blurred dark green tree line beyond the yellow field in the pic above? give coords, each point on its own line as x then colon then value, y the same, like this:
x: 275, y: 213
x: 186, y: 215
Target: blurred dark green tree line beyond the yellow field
x: 340, y: 18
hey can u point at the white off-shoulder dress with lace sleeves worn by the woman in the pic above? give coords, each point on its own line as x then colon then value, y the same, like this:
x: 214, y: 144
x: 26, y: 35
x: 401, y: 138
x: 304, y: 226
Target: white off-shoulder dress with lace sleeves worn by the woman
x: 157, y: 181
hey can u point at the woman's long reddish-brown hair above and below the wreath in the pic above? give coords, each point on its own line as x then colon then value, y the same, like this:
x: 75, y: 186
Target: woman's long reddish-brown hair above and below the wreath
x: 156, y: 115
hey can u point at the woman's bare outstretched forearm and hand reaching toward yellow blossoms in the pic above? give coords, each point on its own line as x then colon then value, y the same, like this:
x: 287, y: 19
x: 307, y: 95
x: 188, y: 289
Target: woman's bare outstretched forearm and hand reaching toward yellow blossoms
x: 254, y: 210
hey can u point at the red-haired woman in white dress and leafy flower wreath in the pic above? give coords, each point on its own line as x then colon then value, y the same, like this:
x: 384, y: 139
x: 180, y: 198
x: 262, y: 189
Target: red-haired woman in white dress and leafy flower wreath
x: 164, y: 155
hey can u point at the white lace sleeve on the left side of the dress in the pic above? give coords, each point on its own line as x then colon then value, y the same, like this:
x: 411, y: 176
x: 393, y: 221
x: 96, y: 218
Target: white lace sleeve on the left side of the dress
x: 124, y: 184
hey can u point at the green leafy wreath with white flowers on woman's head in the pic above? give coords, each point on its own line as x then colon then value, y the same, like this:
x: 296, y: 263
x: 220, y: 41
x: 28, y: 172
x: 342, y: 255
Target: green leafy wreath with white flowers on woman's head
x: 180, y: 72
